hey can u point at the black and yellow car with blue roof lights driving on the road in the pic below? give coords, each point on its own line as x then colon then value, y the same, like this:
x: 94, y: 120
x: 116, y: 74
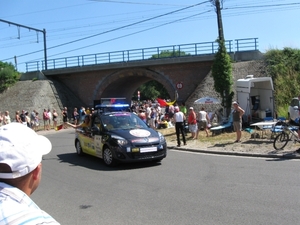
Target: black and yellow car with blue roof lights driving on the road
x: 120, y: 137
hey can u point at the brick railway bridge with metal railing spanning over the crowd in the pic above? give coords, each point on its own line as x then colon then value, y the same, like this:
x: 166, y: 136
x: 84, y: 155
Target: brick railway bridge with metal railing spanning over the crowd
x: 119, y: 74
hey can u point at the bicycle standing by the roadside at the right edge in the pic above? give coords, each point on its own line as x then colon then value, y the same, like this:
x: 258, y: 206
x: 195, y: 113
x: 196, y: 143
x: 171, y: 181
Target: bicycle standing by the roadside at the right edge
x: 288, y: 133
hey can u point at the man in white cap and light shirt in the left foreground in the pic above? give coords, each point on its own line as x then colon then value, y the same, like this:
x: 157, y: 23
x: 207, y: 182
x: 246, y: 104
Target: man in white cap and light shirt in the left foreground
x: 21, y: 151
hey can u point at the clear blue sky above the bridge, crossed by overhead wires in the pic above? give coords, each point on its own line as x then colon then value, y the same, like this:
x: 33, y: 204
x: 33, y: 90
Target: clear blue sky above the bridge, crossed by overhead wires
x: 81, y: 27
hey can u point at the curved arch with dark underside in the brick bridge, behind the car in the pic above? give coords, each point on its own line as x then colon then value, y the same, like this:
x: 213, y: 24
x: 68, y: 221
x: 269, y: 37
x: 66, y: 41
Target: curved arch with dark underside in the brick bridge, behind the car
x: 124, y: 82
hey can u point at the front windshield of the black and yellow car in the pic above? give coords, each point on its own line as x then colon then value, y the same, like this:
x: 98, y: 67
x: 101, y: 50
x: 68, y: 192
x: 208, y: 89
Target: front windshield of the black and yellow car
x: 122, y: 121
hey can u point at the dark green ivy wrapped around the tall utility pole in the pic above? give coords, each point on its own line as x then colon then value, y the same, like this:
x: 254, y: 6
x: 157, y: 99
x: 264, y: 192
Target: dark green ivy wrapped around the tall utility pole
x: 222, y: 74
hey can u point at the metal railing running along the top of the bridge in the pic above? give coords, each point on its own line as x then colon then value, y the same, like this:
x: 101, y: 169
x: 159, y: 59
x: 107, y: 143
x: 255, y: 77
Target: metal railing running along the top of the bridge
x: 172, y: 51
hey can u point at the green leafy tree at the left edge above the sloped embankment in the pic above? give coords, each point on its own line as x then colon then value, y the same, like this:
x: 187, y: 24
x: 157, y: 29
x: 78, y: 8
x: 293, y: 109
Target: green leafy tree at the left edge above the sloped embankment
x: 8, y: 75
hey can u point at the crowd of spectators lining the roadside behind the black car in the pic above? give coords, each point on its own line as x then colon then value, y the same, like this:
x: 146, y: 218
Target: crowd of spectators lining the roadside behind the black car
x: 151, y: 112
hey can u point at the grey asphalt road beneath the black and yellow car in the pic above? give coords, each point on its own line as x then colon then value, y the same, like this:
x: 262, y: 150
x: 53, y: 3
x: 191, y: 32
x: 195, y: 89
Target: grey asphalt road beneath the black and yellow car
x: 186, y: 188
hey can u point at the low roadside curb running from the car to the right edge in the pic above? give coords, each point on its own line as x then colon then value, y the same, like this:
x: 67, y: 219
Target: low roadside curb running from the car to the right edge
x: 282, y: 156
